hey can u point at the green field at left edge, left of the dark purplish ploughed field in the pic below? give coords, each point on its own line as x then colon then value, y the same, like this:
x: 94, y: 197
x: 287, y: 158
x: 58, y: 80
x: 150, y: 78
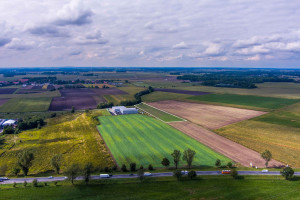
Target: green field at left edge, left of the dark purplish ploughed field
x: 26, y: 105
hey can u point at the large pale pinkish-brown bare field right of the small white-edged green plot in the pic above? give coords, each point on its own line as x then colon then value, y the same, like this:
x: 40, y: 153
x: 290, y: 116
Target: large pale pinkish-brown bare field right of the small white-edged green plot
x: 209, y: 116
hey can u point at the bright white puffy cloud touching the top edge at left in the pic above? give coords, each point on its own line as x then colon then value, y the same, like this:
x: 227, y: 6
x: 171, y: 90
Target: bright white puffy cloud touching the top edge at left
x: 73, y: 13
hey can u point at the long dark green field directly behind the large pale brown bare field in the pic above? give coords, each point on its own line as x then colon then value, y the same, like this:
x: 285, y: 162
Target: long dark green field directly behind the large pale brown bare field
x: 245, y: 100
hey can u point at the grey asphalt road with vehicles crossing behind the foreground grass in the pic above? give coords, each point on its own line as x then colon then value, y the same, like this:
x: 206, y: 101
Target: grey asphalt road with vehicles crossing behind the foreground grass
x: 162, y: 174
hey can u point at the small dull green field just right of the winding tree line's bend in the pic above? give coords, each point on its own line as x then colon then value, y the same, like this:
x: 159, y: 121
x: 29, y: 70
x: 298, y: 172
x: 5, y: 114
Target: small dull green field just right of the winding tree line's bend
x: 161, y: 96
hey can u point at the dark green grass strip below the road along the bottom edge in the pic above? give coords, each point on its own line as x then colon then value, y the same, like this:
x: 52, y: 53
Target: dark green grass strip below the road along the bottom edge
x: 204, y: 187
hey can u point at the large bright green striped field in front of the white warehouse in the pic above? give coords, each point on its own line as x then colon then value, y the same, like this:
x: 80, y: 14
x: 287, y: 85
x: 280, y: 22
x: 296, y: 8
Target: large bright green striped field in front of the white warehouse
x: 145, y: 140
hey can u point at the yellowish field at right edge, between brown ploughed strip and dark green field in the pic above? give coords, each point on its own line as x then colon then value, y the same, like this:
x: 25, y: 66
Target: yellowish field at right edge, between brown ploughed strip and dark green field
x: 282, y: 141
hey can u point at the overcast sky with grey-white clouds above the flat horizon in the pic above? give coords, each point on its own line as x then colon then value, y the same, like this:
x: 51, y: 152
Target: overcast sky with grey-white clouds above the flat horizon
x: 152, y: 33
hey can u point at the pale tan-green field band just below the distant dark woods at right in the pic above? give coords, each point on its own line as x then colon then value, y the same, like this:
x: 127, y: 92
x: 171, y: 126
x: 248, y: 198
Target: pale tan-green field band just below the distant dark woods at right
x: 280, y: 90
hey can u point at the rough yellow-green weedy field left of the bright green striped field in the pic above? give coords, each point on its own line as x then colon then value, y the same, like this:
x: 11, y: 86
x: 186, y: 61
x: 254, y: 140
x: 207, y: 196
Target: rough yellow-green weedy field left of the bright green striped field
x: 75, y: 136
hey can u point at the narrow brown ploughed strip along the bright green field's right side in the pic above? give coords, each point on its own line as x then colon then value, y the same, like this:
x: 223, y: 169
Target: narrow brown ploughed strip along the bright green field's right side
x: 232, y: 150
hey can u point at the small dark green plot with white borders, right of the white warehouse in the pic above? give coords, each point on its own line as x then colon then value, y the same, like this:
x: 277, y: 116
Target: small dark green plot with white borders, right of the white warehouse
x: 158, y: 113
